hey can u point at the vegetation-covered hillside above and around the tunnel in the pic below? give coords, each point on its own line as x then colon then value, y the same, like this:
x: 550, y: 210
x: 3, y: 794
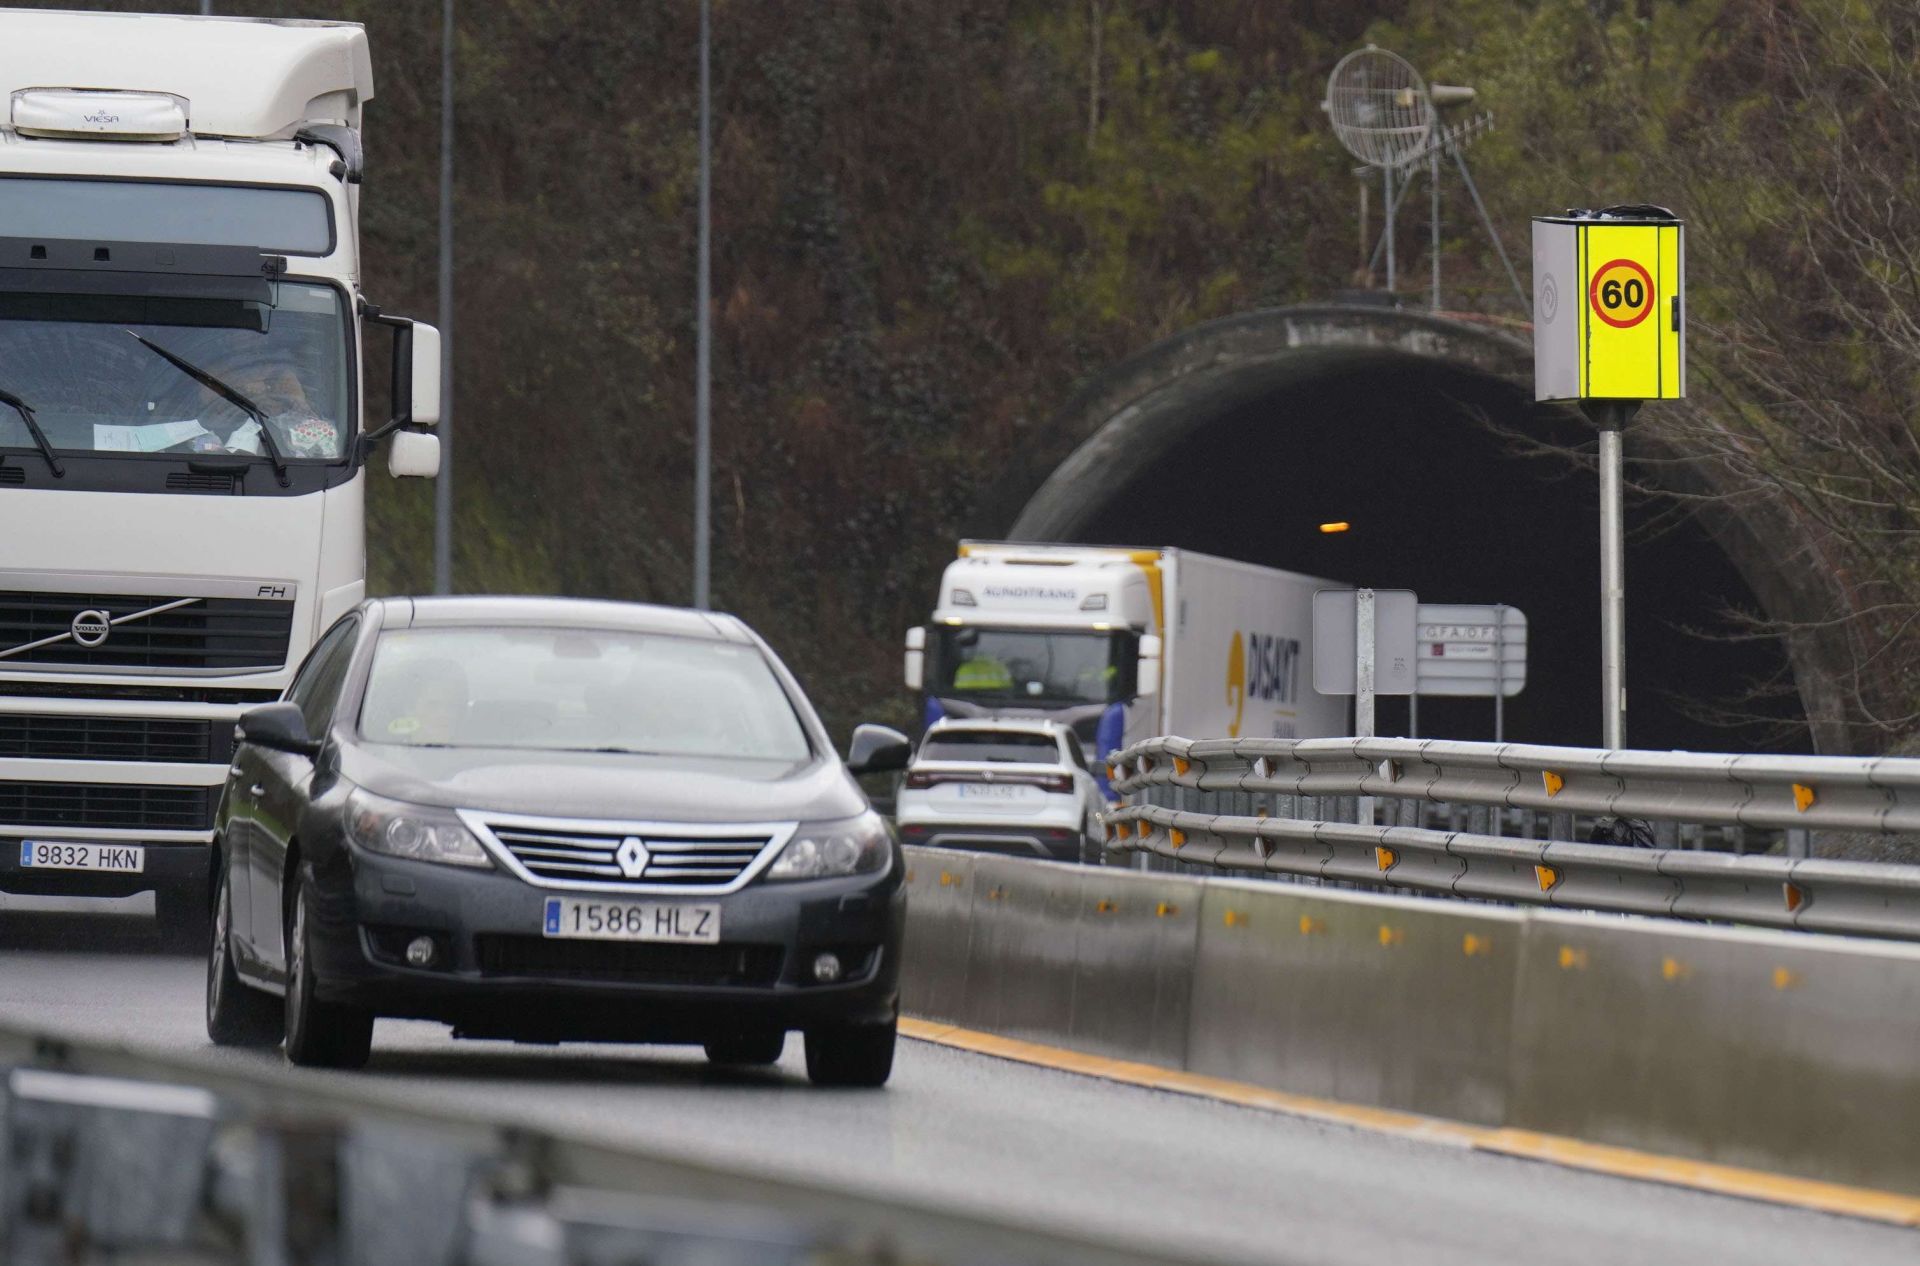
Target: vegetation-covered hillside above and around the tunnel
x: 934, y: 218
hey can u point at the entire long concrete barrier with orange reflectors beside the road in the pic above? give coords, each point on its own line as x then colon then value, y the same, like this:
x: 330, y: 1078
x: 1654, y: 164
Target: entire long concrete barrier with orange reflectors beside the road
x: 1781, y: 1052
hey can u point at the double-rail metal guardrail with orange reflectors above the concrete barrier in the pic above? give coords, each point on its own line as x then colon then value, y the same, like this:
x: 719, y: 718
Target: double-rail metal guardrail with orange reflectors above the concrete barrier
x: 1877, y: 796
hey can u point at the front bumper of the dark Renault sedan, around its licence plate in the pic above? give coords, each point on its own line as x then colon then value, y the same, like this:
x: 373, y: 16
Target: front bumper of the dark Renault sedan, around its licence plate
x: 496, y: 975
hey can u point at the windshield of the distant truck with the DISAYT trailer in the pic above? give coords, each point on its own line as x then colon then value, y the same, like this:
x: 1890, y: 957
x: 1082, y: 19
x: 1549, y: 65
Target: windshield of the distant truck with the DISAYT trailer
x: 1032, y: 666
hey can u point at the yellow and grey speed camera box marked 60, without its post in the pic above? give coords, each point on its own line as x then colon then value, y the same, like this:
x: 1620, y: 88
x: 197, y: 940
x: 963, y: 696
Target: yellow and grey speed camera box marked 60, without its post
x: 1627, y: 339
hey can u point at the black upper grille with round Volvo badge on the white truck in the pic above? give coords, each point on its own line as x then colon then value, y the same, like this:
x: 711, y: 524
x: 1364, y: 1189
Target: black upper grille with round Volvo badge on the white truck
x: 229, y: 635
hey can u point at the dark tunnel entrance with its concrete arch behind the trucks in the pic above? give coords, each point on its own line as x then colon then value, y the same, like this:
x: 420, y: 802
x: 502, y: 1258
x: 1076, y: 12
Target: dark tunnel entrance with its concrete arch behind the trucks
x: 1241, y: 435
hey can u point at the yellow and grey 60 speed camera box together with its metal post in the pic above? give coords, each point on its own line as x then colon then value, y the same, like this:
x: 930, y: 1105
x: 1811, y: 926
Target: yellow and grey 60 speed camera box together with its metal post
x: 1608, y: 333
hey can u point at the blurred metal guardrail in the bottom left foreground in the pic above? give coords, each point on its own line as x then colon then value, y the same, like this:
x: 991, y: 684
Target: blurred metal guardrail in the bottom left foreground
x: 112, y: 1156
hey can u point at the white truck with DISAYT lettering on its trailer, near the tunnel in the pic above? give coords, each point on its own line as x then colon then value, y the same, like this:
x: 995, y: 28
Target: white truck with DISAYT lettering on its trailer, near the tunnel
x: 1122, y: 645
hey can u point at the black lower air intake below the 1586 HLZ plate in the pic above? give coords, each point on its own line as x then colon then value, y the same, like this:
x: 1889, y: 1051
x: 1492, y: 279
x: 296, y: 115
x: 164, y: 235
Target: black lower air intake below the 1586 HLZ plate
x: 631, y: 963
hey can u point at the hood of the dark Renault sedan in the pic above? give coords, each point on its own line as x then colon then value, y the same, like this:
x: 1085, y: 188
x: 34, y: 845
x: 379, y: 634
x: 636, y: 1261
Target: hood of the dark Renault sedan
x: 594, y: 785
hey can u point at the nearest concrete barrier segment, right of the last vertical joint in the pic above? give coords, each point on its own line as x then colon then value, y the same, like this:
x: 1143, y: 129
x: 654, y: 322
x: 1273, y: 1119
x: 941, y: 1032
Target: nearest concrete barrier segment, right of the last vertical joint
x: 1764, y: 1050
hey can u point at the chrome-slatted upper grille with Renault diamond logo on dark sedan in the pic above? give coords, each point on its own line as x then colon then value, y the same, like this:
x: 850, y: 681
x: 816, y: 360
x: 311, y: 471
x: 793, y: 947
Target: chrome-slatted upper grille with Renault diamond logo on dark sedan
x: 673, y: 860
